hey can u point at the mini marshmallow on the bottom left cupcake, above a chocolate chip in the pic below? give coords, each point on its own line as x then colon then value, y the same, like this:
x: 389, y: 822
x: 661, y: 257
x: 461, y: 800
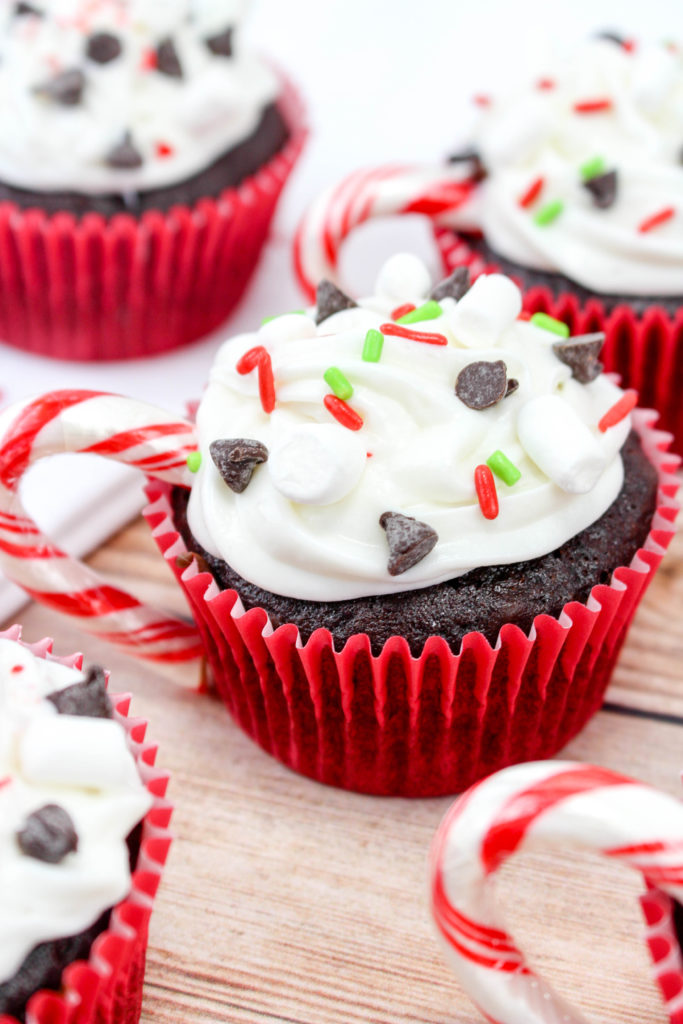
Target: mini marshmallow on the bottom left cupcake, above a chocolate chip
x: 67, y: 750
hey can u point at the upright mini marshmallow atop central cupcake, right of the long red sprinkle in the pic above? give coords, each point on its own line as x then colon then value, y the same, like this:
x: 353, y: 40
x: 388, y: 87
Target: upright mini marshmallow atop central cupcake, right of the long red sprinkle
x: 492, y: 306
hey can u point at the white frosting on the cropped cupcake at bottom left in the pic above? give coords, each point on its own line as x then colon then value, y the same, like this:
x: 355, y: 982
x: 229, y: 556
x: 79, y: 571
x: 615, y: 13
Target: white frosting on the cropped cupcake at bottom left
x: 82, y: 764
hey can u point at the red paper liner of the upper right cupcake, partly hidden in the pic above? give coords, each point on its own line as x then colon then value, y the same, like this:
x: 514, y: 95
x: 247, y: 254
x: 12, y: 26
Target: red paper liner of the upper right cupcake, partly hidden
x: 647, y: 351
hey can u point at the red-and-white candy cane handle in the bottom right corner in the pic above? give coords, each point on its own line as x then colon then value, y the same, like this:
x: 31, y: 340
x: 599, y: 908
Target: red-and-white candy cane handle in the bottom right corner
x: 550, y: 804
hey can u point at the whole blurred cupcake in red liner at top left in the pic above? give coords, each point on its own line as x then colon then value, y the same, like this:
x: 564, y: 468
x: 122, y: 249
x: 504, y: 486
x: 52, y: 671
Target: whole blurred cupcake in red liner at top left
x: 142, y: 156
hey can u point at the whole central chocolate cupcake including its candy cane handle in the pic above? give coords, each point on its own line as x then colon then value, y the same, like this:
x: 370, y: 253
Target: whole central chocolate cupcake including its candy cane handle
x: 412, y: 530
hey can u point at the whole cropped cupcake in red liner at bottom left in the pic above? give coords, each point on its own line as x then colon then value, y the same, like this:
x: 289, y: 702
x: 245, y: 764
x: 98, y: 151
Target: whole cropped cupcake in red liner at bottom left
x: 78, y: 820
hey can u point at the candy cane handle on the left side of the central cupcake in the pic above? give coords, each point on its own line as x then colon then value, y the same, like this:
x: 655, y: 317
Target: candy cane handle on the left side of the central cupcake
x: 123, y: 430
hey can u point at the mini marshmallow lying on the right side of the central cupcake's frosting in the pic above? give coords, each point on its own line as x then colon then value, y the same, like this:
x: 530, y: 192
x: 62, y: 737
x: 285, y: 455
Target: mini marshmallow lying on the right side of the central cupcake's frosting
x: 562, y: 446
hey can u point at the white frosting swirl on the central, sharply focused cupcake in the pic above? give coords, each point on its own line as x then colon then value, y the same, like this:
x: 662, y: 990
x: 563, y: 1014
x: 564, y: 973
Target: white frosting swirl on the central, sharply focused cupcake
x: 310, y: 528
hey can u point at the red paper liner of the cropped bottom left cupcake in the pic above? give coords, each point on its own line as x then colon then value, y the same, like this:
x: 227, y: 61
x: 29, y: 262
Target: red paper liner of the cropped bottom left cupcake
x: 108, y: 989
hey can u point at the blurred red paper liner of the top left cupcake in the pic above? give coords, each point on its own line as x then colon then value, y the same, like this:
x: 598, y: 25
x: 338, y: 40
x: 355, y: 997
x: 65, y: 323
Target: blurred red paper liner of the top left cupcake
x: 92, y: 288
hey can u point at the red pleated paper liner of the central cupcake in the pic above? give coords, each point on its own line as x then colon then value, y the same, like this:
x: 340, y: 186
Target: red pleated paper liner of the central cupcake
x: 394, y: 724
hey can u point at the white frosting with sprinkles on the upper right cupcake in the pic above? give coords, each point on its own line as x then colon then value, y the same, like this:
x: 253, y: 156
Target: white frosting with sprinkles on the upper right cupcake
x: 533, y: 133
